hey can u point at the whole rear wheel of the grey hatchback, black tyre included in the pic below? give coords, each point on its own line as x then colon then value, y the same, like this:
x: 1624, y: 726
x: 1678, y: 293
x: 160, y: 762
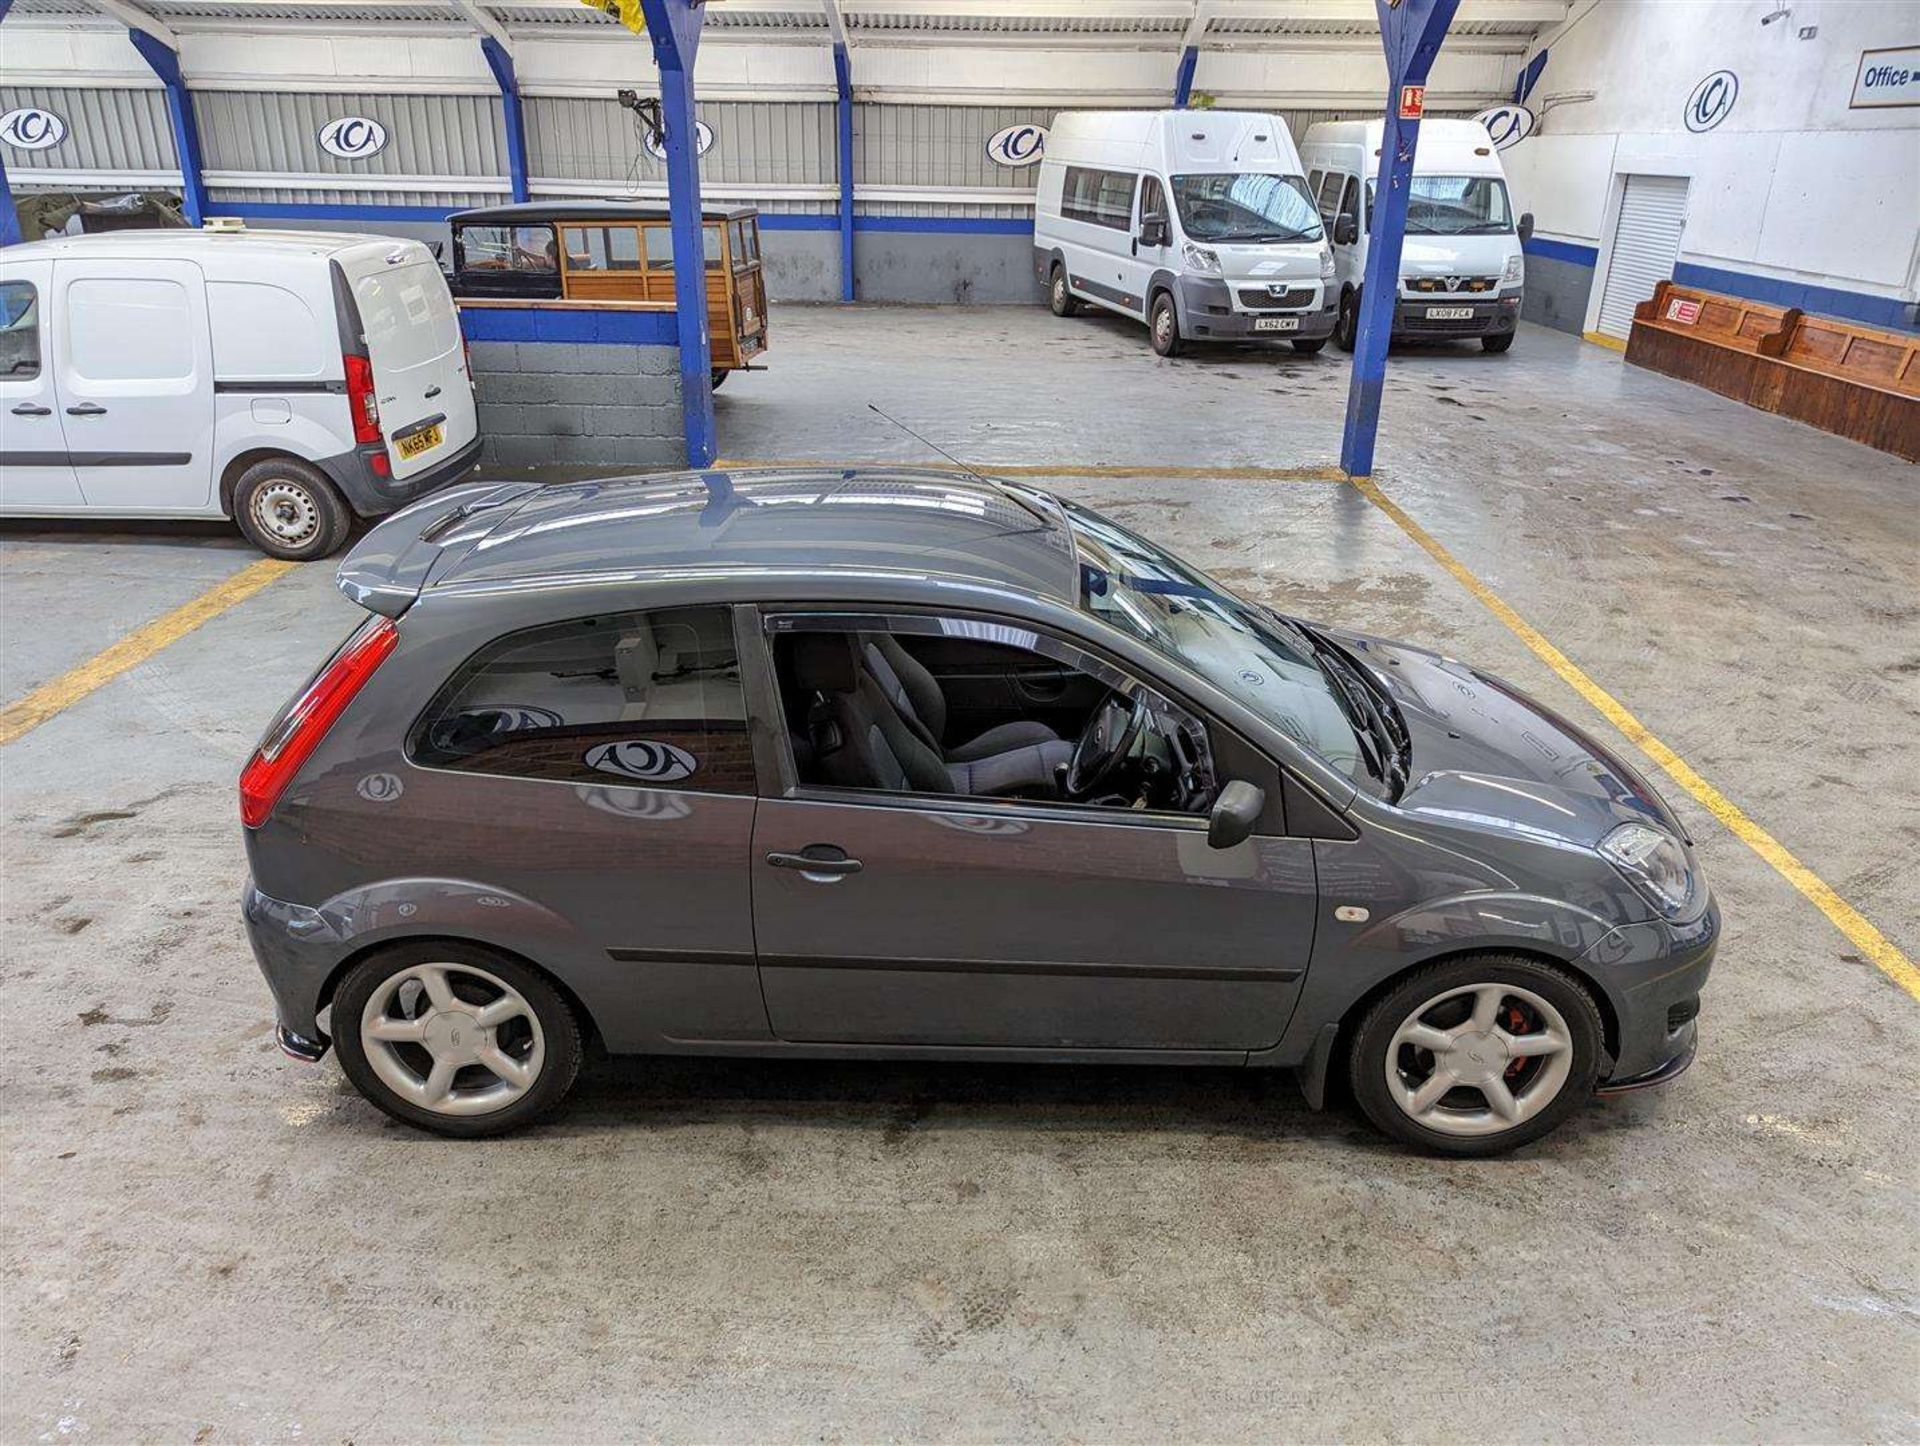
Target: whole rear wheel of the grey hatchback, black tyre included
x: 456, y: 1038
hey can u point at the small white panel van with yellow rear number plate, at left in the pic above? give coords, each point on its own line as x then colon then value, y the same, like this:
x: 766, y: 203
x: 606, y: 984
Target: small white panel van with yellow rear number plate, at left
x: 279, y: 379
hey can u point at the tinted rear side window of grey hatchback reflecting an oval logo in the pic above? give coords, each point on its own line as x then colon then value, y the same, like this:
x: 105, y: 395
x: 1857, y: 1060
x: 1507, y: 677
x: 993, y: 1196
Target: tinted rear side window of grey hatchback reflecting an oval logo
x: 646, y: 700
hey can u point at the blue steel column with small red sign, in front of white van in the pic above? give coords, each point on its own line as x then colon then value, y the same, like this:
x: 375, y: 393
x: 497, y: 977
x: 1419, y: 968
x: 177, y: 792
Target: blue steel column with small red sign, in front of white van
x: 1412, y: 34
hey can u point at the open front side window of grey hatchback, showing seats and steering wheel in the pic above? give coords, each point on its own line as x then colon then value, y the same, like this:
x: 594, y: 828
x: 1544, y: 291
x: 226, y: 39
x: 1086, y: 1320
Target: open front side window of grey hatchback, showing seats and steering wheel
x: 982, y: 710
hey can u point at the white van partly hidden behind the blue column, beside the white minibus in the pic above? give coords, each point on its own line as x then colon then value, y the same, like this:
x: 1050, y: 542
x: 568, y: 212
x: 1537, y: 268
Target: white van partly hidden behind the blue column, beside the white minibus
x: 1462, y: 272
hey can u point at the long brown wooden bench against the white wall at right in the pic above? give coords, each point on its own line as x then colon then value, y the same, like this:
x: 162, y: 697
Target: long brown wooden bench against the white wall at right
x: 1836, y: 375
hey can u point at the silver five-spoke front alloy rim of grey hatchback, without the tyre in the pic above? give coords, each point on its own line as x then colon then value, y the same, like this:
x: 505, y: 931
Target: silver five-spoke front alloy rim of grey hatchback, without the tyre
x: 1437, y: 1067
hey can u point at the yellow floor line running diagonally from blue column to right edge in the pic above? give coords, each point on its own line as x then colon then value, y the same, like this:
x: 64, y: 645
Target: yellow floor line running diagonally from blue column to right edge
x: 1871, y: 942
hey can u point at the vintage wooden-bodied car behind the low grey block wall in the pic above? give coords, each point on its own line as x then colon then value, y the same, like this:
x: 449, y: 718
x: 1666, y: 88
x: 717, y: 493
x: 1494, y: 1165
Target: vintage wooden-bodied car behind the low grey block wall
x: 615, y: 253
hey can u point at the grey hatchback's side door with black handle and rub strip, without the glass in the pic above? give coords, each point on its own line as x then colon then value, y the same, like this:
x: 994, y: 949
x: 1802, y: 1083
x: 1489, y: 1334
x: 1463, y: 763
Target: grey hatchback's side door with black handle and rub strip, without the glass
x: 996, y: 923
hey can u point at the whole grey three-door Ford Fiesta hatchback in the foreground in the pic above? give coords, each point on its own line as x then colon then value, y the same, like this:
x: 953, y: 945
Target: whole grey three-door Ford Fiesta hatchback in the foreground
x: 915, y: 765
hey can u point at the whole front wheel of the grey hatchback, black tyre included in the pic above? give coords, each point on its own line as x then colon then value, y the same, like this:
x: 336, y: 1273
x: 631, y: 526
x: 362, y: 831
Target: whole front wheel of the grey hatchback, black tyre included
x: 1477, y: 1055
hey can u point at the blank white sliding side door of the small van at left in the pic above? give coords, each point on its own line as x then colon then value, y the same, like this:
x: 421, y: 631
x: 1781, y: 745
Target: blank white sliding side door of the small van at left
x: 135, y: 379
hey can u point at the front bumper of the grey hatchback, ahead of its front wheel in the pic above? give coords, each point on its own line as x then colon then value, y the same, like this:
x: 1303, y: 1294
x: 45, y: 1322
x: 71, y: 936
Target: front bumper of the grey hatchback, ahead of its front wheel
x: 1654, y: 975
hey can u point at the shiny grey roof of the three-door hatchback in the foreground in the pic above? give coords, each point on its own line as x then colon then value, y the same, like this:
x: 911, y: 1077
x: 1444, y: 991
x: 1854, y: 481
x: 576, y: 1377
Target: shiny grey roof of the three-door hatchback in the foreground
x: 819, y: 521
